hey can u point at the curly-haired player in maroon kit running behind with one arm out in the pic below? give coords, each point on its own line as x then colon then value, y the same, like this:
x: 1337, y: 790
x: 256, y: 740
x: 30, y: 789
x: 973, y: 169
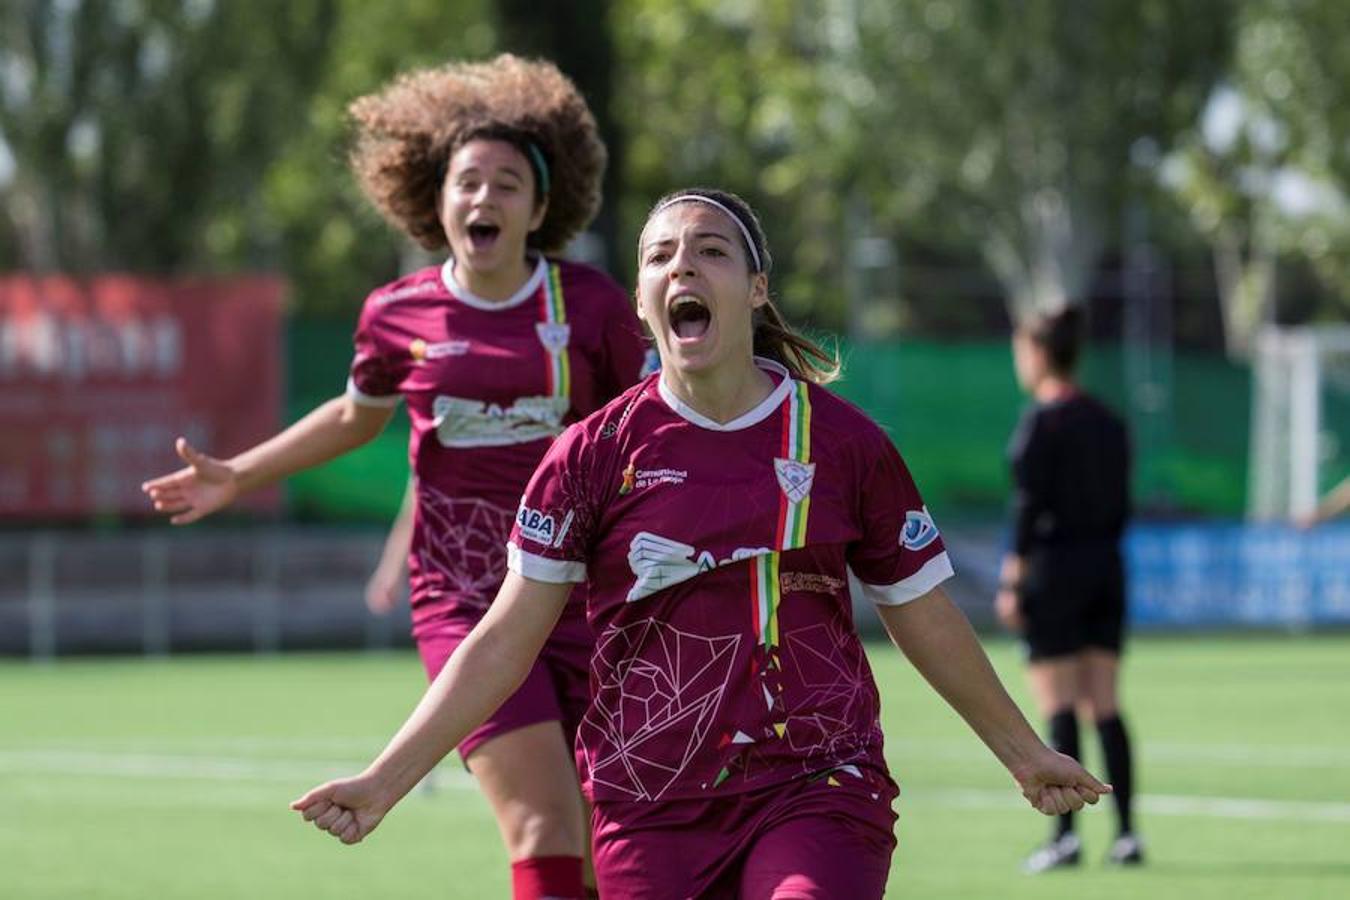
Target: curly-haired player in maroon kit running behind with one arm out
x: 495, y: 353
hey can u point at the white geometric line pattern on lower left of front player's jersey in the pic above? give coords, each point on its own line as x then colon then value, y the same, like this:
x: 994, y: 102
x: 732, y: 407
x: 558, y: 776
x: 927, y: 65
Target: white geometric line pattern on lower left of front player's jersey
x: 655, y: 706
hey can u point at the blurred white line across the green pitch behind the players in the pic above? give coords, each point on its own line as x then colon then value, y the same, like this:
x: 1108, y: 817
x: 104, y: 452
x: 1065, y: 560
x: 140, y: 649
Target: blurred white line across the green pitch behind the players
x: 137, y: 766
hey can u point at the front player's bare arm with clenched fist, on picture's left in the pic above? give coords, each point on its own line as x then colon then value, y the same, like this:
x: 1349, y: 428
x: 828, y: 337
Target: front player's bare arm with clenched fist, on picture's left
x: 481, y: 674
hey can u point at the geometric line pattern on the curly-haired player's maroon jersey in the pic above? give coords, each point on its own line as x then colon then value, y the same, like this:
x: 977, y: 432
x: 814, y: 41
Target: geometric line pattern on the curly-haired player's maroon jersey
x: 464, y: 540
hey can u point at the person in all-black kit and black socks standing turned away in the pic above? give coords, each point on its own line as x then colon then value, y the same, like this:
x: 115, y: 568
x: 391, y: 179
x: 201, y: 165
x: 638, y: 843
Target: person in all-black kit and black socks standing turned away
x: 1063, y: 584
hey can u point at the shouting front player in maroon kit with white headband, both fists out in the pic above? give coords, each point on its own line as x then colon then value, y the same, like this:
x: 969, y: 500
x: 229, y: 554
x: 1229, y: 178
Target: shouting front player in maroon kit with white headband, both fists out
x: 718, y: 513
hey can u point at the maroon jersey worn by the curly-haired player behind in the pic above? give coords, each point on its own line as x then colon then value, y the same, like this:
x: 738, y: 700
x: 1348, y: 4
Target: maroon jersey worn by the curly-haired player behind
x: 489, y: 385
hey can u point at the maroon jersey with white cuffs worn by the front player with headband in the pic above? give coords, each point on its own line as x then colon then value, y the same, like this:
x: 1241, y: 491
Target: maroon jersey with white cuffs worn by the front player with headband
x: 718, y: 561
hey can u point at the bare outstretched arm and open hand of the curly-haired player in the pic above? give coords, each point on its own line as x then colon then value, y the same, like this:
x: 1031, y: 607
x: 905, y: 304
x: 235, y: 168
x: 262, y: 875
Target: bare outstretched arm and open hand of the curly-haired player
x: 207, y: 484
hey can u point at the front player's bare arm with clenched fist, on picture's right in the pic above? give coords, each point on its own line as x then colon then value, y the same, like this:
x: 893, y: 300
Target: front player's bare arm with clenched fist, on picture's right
x: 938, y: 639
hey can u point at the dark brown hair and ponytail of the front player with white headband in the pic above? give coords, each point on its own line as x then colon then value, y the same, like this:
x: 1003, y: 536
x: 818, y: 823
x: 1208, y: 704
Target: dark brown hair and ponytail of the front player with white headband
x: 774, y: 338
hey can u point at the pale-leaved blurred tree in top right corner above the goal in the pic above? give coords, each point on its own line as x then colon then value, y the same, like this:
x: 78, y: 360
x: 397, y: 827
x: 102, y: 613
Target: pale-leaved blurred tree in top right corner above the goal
x: 1266, y: 172
